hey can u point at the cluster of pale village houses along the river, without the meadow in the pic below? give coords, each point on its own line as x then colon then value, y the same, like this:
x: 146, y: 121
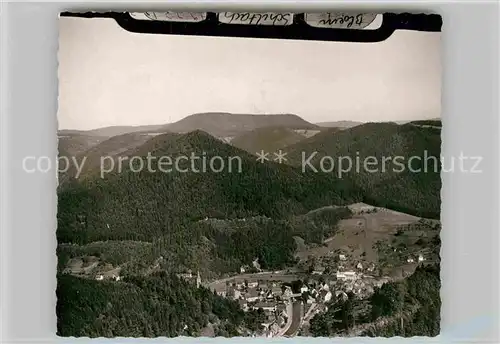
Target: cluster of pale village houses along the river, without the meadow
x: 289, y: 299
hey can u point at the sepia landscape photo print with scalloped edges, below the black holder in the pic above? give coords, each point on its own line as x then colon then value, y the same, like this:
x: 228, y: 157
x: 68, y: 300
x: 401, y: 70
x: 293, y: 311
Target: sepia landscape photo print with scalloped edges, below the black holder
x: 247, y: 187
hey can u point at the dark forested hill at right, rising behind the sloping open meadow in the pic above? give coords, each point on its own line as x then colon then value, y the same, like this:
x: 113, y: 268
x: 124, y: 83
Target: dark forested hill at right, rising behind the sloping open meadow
x: 394, y: 186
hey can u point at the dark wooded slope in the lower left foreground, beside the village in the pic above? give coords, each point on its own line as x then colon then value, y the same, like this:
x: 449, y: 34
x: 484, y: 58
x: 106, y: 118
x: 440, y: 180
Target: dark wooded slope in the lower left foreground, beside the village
x: 147, y: 306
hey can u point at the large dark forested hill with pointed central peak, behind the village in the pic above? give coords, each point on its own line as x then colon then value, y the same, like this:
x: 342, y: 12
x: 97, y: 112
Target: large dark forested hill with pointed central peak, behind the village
x: 145, y: 205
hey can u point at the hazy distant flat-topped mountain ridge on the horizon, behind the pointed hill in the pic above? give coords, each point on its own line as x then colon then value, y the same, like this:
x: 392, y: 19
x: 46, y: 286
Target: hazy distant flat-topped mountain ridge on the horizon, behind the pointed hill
x: 225, y: 126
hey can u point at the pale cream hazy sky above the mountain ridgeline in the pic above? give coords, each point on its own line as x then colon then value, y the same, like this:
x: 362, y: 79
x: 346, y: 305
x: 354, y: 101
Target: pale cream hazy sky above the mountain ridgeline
x: 109, y: 76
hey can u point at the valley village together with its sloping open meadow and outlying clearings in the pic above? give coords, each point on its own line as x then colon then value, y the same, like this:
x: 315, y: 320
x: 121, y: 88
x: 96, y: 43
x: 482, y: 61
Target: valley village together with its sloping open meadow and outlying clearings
x: 372, y: 247
